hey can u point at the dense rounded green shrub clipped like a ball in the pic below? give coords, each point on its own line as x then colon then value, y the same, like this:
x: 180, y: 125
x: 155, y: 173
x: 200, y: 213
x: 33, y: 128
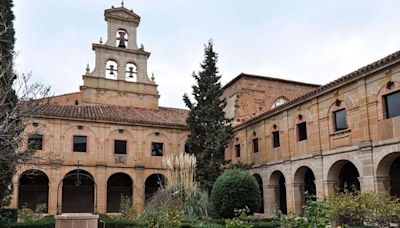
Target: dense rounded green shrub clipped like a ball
x: 235, y: 189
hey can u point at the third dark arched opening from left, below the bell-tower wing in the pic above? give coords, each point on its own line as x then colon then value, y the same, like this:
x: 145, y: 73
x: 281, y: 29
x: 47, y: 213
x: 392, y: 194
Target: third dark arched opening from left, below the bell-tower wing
x: 118, y: 185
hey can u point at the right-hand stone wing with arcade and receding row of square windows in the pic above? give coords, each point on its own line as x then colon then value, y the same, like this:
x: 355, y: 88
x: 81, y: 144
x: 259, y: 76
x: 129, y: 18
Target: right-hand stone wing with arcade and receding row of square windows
x: 369, y: 146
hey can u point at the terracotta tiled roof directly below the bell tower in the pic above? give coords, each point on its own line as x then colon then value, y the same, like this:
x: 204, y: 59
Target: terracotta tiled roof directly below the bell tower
x: 163, y: 116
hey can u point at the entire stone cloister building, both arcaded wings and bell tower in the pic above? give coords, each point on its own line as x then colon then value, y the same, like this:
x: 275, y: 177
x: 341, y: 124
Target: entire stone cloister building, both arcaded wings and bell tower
x: 109, y: 138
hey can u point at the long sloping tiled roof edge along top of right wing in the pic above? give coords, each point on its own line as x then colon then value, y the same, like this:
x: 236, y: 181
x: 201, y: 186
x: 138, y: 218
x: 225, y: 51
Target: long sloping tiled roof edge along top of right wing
x: 363, y: 71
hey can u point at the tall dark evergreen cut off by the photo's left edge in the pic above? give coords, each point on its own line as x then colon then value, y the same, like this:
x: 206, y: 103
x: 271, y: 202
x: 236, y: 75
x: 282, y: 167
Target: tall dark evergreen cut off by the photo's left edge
x: 8, y: 102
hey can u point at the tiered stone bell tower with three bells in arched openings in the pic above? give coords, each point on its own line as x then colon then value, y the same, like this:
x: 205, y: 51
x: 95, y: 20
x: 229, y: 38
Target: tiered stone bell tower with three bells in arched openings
x: 120, y: 74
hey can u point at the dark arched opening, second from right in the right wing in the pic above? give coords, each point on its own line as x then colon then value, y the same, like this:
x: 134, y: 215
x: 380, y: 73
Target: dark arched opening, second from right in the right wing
x: 343, y: 175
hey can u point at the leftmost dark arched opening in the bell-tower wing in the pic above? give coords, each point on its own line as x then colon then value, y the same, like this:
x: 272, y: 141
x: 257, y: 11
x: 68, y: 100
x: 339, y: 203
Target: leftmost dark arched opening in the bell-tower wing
x: 33, y: 189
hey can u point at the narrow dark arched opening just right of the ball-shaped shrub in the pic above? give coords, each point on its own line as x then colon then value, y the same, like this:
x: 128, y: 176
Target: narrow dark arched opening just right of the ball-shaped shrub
x: 278, y: 184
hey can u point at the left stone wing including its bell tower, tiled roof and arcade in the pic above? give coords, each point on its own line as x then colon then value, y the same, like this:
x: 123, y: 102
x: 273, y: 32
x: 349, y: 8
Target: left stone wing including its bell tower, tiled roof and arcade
x: 105, y: 112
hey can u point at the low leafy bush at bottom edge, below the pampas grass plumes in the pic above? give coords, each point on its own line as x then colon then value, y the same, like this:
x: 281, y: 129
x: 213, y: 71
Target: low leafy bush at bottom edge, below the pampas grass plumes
x: 160, y: 218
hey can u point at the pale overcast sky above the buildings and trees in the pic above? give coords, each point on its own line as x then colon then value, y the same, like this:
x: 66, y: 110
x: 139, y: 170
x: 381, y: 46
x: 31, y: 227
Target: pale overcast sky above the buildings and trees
x: 311, y: 41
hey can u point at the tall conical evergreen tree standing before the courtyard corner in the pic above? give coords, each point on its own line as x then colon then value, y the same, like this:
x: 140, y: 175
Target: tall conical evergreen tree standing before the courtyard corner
x: 210, y: 131
